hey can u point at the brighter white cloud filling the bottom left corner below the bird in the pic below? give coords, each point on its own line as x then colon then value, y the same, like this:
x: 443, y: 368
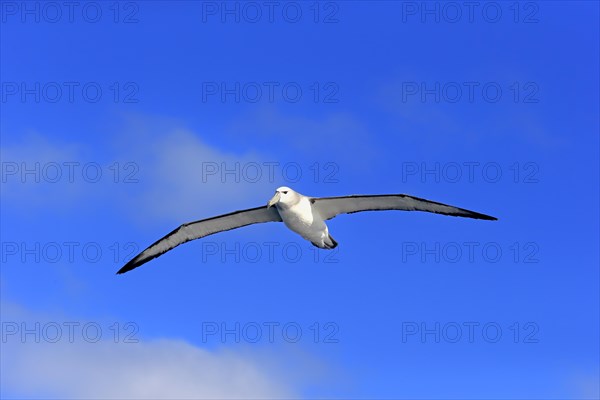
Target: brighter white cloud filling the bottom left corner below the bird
x: 163, y: 368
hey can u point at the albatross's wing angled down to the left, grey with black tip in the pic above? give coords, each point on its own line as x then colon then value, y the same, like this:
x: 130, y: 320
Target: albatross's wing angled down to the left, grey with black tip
x: 202, y: 228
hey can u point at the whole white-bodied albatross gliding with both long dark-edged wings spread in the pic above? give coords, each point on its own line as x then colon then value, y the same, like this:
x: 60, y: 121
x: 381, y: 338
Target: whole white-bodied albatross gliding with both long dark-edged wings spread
x: 302, y: 214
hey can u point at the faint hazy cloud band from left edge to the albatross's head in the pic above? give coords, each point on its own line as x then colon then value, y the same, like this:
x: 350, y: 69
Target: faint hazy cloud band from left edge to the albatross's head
x: 167, y: 166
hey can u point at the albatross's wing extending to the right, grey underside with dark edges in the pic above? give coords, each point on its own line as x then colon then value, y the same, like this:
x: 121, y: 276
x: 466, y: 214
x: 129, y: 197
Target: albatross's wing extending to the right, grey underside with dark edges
x: 329, y: 207
